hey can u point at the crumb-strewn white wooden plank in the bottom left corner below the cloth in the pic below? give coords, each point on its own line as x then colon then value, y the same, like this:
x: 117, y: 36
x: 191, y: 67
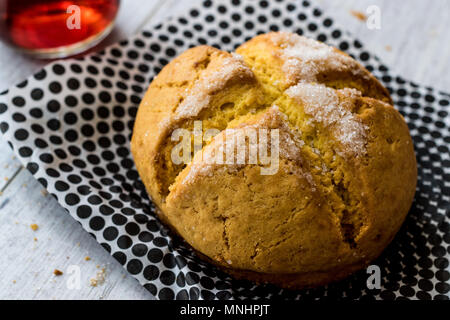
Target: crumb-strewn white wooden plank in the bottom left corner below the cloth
x: 29, y: 257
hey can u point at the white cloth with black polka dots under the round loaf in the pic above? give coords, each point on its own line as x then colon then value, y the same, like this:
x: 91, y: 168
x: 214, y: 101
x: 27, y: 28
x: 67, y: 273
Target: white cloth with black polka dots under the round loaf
x: 71, y: 123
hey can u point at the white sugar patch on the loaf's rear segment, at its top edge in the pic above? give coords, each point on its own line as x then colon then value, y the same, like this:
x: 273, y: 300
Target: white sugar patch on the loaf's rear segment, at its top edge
x: 305, y: 58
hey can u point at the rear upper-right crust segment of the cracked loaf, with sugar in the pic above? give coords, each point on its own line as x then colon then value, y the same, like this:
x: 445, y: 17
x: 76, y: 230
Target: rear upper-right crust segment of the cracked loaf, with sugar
x: 268, y: 49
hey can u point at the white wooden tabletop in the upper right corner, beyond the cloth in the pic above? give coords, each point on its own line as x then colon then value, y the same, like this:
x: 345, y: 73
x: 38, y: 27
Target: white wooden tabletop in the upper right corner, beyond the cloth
x: 413, y: 40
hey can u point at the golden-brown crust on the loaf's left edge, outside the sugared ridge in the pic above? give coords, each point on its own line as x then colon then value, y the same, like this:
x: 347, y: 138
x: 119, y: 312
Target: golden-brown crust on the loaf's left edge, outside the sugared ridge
x: 157, y: 114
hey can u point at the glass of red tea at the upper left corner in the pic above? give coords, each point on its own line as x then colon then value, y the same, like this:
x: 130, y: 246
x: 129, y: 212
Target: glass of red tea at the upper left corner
x: 56, y: 28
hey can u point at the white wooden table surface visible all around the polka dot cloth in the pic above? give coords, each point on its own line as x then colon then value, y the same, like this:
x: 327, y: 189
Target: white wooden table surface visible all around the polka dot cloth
x: 413, y: 41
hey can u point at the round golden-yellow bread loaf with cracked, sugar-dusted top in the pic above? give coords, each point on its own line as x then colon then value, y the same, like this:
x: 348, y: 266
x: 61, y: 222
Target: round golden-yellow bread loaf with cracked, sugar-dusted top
x: 345, y: 168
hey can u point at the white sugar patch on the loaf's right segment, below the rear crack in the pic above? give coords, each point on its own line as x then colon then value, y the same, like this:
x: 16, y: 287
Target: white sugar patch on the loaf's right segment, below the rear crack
x: 325, y: 106
